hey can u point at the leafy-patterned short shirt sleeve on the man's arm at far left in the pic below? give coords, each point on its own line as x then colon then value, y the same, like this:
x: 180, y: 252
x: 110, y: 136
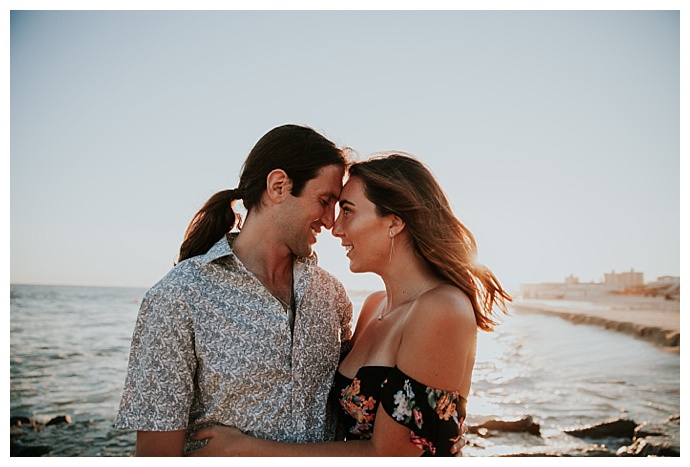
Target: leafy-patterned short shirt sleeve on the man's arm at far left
x: 159, y: 386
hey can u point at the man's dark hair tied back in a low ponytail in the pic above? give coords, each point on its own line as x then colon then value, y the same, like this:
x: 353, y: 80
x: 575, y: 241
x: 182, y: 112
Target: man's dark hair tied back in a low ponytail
x: 300, y: 151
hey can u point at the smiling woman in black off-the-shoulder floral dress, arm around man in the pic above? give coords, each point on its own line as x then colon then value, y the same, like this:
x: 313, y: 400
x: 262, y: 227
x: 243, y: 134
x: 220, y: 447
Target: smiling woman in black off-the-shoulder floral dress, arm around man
x: 404, y: 384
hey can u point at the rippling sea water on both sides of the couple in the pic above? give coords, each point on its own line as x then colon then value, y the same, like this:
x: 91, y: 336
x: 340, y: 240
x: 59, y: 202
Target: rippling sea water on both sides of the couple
x: 69, y: 348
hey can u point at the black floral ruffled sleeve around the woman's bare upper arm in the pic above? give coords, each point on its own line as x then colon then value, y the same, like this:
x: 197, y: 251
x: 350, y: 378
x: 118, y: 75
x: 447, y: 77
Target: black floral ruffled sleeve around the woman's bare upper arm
x: 432, y: 415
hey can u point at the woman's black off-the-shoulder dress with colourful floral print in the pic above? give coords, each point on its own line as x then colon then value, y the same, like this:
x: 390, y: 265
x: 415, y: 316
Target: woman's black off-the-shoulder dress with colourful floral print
x: 432, y: 415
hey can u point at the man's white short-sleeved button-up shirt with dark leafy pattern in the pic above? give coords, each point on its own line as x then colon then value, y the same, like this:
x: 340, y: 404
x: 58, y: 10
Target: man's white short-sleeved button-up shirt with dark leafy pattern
x: 212, y: 345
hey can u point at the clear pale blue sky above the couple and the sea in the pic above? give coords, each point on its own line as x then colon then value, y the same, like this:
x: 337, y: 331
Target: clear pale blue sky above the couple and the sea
x: 555, y: 134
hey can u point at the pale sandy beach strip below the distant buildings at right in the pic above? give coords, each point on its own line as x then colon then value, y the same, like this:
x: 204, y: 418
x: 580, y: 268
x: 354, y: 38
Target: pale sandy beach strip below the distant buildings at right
x: 652, y: 319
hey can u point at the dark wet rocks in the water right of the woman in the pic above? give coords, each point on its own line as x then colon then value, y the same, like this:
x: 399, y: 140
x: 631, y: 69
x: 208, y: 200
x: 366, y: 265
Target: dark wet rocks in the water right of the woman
x: 614, y: 438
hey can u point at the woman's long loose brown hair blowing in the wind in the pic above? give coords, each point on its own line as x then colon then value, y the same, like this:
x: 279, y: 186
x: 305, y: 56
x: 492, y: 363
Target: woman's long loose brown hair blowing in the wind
x: 399, y: 184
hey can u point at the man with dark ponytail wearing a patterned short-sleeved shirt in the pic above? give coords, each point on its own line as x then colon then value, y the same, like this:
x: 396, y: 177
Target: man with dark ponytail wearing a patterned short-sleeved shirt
x: 246, y: 330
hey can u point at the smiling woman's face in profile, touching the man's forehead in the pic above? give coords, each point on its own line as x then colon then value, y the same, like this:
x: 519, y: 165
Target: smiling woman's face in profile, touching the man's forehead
x: 362, y: 232
